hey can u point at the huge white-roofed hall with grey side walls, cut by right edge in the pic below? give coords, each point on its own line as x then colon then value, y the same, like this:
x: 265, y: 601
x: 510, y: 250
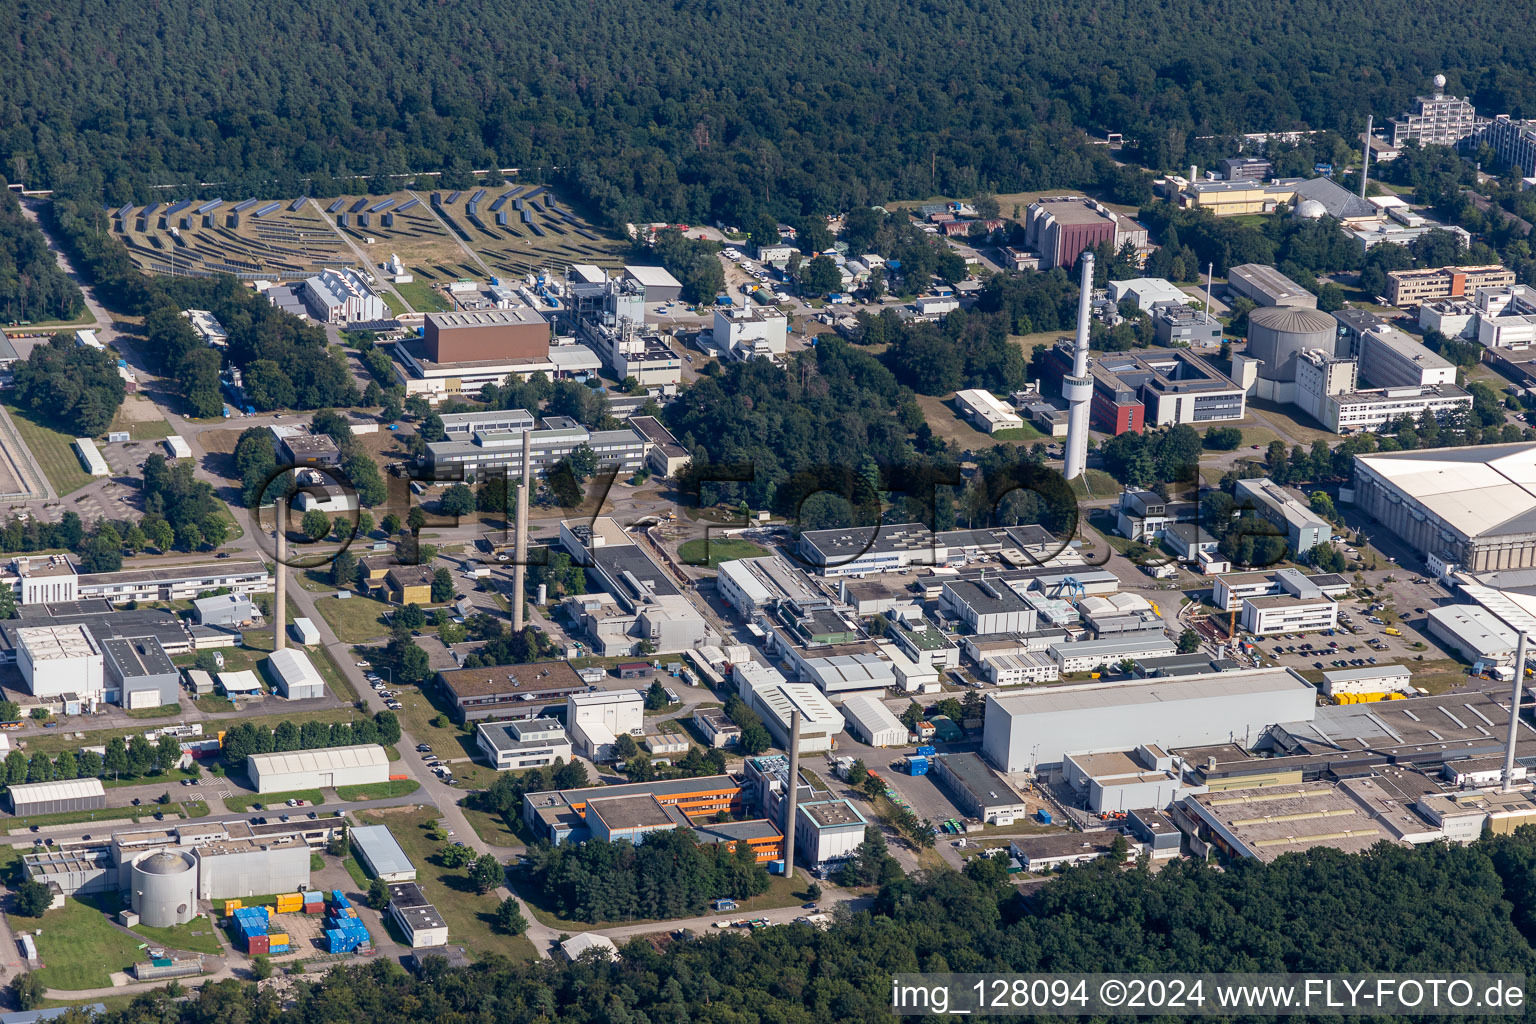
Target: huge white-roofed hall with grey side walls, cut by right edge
x: 1472, y: 509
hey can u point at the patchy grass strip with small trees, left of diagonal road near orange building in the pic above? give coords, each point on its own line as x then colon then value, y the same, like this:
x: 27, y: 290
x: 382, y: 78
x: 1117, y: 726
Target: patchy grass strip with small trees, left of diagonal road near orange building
x: 466, y: 913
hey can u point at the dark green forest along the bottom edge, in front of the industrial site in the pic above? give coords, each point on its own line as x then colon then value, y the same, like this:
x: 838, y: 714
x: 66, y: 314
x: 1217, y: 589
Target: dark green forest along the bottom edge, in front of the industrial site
x: 1306, y: 913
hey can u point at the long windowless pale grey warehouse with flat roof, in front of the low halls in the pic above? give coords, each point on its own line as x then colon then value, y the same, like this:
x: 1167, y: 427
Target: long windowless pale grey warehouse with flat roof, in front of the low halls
x: 1039, y: 727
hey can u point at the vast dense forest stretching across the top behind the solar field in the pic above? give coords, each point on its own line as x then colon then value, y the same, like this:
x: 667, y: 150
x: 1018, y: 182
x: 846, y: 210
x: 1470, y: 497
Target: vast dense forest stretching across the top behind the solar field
x: 698, y: 110
